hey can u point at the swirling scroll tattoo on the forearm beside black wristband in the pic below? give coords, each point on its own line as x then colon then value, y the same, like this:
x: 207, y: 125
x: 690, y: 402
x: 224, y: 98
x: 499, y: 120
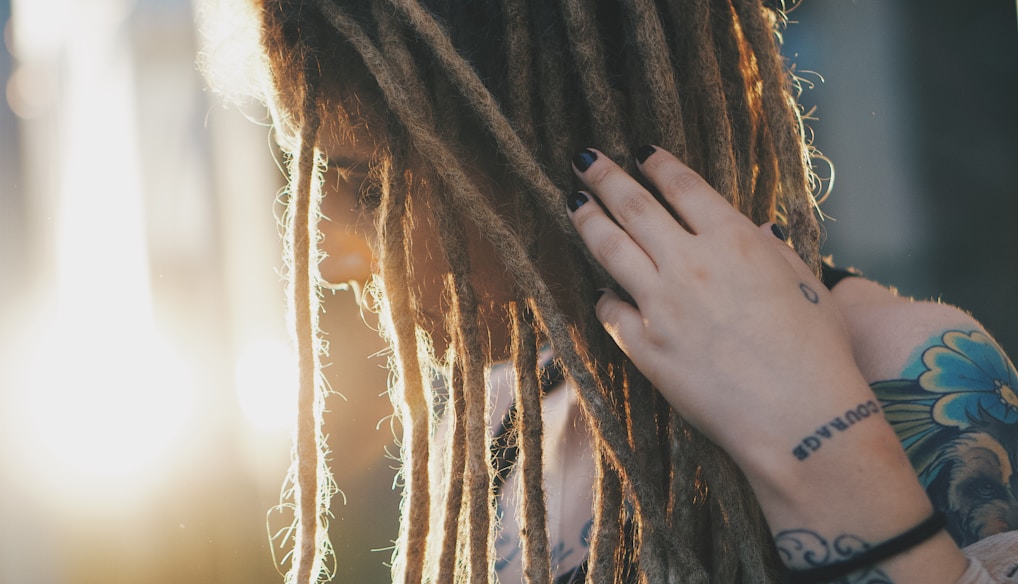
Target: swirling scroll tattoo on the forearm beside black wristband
x: 803, y: 549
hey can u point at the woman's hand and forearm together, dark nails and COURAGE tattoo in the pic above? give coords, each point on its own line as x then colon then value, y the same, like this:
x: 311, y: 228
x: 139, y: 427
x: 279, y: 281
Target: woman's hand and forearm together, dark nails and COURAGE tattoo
x: 748, y: 345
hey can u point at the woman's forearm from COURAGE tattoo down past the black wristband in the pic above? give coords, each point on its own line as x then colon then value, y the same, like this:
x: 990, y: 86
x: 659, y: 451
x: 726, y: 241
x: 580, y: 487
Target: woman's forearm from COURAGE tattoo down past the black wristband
x: 854, y: 493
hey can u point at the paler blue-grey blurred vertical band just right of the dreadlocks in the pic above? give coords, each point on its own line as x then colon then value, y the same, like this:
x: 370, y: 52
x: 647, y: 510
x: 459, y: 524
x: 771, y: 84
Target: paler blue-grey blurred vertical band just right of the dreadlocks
x: 851, y: 59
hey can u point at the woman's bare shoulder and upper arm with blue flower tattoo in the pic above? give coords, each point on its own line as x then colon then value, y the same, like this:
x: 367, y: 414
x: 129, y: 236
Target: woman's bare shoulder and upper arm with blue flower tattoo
x: 951, y: 395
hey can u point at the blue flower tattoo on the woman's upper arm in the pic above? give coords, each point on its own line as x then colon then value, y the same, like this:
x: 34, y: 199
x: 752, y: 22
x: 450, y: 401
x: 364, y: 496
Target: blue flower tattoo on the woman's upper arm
x: 957, y: 418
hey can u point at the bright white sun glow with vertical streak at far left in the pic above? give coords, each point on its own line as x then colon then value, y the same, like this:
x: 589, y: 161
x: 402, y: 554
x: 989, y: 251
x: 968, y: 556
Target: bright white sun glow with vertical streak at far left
x: 103, y: 398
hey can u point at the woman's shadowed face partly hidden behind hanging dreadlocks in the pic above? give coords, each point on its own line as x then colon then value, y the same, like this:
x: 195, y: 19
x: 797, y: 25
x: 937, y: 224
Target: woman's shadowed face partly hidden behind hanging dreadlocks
x: 351, y: 242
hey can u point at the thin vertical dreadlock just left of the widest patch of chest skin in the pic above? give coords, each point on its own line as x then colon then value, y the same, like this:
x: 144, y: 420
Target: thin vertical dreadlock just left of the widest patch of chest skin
x: 534, y: 522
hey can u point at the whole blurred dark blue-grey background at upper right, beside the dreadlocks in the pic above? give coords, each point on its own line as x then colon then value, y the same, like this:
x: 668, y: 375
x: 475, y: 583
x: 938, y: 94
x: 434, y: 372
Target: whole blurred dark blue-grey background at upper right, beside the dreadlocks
x: 918, y: 113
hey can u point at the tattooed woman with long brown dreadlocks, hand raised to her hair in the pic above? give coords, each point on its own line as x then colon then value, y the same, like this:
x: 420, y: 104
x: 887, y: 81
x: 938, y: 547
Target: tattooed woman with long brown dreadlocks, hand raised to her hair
x: 725, y: 429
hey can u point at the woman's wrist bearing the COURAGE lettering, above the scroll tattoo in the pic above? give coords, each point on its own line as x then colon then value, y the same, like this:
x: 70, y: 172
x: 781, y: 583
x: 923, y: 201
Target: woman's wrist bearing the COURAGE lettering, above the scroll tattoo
x: 840, y: 457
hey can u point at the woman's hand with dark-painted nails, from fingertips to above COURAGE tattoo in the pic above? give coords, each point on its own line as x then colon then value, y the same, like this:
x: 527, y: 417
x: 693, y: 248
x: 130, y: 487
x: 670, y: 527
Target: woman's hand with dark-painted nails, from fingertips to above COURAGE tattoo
x: 727, y: 322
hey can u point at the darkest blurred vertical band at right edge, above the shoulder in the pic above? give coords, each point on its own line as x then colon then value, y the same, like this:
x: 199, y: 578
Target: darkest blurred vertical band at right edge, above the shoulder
x: 966, y: 73
